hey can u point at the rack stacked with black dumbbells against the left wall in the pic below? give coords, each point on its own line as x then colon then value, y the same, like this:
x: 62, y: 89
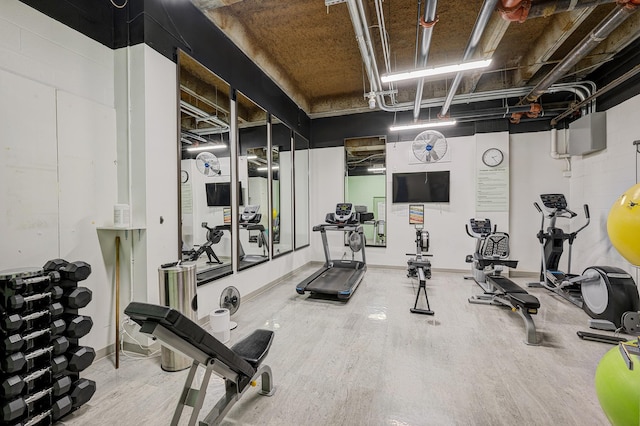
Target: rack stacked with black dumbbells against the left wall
x: 40, y: 355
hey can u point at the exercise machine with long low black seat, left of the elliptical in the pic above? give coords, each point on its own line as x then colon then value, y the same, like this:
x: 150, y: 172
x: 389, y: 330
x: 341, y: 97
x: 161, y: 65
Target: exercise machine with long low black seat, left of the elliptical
x: 489, y: 259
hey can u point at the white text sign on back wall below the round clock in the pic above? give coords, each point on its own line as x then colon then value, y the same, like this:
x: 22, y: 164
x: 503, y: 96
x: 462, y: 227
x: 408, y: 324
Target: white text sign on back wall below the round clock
x: 492, y: 190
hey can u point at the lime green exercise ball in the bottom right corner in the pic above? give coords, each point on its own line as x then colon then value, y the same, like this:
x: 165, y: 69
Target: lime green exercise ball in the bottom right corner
x: 618, y: 389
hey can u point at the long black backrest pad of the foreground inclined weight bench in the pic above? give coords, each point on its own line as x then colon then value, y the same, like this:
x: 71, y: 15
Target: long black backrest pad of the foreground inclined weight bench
x: 146, y: 314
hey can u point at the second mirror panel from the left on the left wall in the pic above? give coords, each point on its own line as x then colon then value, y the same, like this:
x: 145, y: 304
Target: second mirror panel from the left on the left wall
x: 253, y: 175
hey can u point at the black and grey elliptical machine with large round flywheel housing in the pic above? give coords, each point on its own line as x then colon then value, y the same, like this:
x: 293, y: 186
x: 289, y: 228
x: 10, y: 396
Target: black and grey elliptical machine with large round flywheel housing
x: 605, y: 293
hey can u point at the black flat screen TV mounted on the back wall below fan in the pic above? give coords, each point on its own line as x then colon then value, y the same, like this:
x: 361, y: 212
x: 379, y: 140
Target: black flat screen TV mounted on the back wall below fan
x: 422, y: 187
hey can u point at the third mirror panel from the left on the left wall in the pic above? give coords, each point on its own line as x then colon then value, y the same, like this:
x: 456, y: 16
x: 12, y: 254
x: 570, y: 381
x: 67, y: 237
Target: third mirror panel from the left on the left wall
x: 281, y: 188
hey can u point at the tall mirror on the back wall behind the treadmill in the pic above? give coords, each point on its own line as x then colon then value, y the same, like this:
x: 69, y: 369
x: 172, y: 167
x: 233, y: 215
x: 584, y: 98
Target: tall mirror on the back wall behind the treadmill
x: 365, y: 184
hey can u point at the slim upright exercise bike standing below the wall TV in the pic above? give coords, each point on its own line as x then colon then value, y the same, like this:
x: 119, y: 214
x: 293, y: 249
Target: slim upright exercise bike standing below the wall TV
x: 419, y: 266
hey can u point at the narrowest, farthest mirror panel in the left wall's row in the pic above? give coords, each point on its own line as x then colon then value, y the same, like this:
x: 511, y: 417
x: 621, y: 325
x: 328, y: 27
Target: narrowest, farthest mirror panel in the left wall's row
x: 301, y: 190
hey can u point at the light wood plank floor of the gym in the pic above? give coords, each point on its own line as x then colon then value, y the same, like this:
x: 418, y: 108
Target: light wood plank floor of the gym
x: 371, y: 362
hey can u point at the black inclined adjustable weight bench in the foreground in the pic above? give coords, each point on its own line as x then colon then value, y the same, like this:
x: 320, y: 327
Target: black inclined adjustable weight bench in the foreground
x: 240, y: 365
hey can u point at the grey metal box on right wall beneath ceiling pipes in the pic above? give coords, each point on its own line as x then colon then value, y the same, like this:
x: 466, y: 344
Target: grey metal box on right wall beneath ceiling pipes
x: 588, y: 134
